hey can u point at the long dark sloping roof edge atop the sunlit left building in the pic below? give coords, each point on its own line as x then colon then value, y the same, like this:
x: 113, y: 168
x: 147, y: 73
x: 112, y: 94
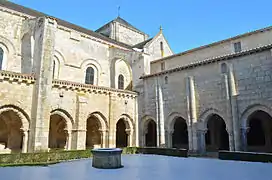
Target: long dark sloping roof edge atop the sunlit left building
x: 35, y: 13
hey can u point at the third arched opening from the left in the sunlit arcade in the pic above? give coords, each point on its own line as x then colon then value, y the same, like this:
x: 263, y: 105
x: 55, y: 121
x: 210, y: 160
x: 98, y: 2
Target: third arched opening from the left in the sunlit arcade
x: 93, y: 135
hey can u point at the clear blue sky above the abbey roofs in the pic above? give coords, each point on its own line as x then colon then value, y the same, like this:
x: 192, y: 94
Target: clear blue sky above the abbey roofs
x: 186, y: 23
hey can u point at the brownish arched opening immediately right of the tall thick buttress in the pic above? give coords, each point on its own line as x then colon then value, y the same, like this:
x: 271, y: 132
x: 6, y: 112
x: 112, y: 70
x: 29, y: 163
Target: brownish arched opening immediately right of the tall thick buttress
x: 57, y: 132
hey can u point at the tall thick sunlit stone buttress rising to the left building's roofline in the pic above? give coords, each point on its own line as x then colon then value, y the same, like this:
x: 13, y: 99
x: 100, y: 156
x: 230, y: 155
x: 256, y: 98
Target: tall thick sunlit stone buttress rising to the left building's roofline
x: 44, y: 36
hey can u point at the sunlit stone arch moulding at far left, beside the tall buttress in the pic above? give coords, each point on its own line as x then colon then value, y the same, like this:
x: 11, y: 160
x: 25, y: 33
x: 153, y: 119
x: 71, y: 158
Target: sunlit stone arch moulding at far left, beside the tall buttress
x: 19, y: 112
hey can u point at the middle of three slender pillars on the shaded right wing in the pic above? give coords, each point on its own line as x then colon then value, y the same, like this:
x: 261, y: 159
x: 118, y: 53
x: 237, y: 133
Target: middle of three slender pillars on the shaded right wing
x: 192, y: 118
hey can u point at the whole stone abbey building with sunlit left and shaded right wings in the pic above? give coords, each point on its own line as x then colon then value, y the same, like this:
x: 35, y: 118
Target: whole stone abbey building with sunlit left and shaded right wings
x: 64, y: 86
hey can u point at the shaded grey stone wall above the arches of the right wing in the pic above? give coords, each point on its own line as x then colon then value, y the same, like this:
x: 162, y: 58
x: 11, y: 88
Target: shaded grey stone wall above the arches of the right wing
x: 246, y: 79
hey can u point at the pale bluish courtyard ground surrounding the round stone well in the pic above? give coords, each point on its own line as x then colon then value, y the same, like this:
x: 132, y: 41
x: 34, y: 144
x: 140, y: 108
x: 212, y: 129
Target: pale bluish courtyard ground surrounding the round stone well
x: 145, y: 167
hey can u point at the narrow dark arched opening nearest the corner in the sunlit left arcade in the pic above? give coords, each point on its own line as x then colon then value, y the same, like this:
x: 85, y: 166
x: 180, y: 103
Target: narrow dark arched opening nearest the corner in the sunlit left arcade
x: 121, y: 134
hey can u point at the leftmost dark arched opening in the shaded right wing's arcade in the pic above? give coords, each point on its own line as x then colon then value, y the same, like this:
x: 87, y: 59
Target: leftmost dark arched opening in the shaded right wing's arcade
x: 151, y: 134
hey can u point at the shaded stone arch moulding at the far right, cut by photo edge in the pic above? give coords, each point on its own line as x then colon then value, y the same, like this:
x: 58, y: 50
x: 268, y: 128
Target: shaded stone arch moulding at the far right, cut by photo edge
x: 250, y: 110
